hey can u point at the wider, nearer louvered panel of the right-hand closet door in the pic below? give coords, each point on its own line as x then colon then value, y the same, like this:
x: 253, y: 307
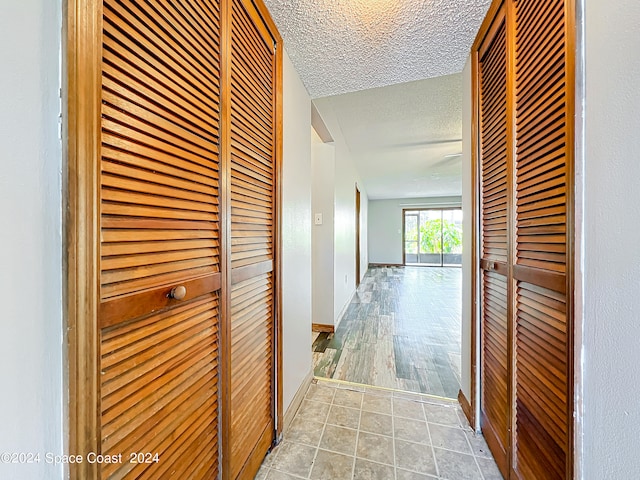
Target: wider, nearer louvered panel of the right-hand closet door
x: 543, y: 145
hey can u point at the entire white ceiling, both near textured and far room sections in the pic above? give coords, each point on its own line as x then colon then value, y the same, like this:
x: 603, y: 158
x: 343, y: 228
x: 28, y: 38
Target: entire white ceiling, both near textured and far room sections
x: 389, y: 72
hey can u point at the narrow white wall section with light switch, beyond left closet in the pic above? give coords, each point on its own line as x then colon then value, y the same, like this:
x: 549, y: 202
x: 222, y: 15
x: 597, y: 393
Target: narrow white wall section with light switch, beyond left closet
x: 323, y: 174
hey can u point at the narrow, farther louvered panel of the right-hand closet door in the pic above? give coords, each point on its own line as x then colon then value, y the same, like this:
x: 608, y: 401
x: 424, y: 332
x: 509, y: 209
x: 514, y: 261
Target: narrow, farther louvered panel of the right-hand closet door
x: 494, y: 209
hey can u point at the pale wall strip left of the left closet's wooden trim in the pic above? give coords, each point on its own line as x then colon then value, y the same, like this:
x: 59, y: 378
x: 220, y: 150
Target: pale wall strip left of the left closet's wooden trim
x: 31, y: 373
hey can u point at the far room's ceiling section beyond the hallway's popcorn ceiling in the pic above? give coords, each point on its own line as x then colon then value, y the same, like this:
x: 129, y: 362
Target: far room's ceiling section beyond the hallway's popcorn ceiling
x: 404, y: 139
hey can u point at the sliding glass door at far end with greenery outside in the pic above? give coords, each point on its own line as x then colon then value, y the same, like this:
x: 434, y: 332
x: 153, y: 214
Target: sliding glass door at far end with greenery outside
x: 432, y: 237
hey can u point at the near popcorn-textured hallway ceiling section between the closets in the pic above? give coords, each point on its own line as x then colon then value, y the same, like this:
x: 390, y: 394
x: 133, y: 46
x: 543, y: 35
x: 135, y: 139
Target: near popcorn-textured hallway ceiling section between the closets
x: 340, y: 46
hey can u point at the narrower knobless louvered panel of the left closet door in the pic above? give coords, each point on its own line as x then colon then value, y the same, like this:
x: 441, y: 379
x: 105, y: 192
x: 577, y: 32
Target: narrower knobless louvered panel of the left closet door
x: 252, y: 244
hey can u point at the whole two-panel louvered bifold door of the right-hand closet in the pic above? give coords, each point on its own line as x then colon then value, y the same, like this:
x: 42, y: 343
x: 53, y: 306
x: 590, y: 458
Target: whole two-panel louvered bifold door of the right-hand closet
x: 525, y: 160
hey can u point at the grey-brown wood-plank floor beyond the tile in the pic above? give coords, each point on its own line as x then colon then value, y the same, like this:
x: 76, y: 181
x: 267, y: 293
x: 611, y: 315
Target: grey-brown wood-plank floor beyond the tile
x: 401, y: 331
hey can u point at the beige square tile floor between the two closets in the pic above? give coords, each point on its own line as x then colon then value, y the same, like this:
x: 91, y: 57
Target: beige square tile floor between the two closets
x: 348, y: 431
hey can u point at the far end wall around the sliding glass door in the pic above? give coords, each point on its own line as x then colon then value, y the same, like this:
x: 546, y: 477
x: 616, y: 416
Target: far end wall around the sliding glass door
x: 385, y: 225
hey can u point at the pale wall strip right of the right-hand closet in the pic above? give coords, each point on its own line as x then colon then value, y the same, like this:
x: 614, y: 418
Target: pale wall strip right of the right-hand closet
x: 611, y: 252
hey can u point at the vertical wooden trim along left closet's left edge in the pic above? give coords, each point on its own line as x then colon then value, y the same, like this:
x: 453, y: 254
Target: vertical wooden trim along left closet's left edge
x: 82, y: 101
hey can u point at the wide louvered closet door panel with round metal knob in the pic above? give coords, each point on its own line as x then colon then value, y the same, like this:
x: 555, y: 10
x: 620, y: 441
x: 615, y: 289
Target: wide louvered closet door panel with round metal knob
x: 159, y: 230
